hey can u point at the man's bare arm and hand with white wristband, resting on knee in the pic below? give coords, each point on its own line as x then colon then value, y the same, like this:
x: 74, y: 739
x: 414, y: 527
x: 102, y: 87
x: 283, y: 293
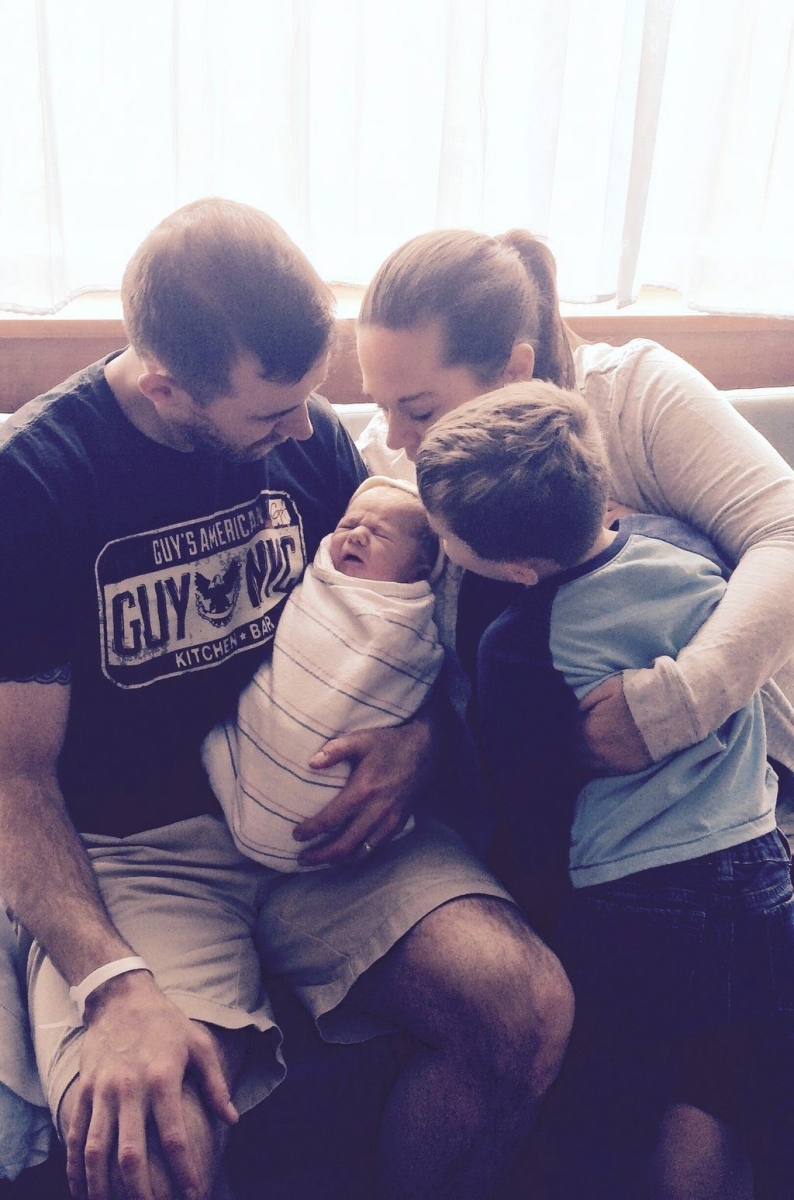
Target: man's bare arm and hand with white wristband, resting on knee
x: 137, y: 1046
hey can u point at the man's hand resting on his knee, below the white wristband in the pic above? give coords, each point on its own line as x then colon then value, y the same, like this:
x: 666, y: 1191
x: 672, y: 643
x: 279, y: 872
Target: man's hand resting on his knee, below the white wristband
x: 137, y: 1051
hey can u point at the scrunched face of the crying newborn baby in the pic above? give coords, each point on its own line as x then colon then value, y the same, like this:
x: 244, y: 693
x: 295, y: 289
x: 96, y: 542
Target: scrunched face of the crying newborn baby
x: 377, y: 538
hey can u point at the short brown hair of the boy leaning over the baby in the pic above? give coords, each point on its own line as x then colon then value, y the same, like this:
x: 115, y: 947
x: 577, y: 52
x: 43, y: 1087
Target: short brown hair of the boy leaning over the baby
x: 519, y: 473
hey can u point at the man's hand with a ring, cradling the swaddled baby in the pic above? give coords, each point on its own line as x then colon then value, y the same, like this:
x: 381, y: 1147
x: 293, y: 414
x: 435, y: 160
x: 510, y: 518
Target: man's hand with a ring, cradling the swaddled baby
x: 390, y: 770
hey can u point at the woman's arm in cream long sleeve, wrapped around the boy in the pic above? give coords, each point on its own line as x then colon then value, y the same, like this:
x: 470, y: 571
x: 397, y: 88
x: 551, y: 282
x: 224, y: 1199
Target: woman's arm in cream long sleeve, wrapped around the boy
x: 678, y: 448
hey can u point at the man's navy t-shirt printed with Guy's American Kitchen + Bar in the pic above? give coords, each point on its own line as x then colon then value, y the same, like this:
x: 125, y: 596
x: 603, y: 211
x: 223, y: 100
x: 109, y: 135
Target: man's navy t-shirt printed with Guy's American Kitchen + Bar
x: 159, y: 578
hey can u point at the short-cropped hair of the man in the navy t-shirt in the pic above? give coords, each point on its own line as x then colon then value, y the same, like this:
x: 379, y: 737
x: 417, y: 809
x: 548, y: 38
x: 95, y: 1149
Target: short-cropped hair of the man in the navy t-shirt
x: 218, y: 279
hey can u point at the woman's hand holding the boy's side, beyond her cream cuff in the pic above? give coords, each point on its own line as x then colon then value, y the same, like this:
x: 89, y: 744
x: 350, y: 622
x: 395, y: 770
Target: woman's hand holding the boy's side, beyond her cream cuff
x: 612, y: 743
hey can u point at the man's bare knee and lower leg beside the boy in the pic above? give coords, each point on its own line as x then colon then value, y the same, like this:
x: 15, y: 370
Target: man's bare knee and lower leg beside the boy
x: 492, y: 1010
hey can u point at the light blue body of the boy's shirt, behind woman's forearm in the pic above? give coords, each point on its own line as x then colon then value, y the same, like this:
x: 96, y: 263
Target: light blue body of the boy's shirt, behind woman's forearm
x: 642, y: 599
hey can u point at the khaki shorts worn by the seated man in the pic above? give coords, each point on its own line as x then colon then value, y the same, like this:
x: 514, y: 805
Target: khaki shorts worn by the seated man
x: 210, y: 923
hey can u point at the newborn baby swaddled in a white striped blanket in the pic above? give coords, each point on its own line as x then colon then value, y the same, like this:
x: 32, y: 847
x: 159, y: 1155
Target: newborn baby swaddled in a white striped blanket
x: 356, y: 650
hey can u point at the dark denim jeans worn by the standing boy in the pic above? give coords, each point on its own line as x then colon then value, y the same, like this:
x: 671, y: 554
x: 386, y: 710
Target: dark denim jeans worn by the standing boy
x: 664, y: 963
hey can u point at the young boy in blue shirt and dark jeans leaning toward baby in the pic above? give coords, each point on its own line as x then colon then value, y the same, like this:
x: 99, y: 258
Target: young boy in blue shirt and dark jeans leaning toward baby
x: 679, y: 933
